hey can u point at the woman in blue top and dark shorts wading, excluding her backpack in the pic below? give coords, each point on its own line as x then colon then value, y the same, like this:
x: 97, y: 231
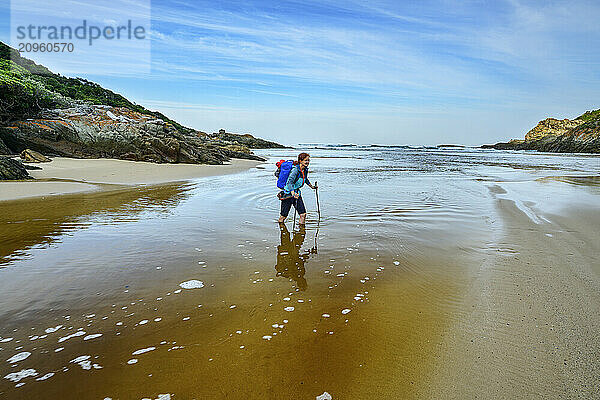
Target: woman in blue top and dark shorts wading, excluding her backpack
x: 291, y: 192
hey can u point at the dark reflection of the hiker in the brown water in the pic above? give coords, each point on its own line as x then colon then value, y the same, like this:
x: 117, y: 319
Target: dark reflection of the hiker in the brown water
x: 290, y: 263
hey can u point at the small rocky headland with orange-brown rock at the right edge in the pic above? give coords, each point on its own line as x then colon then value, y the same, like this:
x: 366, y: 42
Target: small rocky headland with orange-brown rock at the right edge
x: 580, y: 135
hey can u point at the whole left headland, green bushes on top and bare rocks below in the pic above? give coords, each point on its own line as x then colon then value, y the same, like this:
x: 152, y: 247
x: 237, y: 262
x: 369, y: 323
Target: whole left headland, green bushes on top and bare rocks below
x: 72, y: 117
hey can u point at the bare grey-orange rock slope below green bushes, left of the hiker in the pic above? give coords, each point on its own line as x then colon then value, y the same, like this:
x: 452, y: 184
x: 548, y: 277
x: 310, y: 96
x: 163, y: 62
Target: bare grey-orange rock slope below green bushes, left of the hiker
x: 100, y: 131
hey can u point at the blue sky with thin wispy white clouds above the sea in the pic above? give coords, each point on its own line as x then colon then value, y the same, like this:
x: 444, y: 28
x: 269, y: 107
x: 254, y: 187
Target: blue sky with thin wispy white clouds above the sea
x: 390, y: 72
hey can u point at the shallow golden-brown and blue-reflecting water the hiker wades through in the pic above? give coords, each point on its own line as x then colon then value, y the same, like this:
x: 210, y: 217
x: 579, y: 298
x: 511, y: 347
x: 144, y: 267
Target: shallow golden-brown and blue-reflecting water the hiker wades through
x: 193, y: 290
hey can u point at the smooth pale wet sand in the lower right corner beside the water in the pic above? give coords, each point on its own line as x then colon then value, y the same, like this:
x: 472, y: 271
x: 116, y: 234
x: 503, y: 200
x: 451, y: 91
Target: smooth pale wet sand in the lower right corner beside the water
x: 528, y: 325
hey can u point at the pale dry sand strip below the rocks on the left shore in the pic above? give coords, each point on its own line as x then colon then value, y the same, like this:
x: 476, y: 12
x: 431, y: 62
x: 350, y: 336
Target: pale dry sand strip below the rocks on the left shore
x: 71, y: 175
